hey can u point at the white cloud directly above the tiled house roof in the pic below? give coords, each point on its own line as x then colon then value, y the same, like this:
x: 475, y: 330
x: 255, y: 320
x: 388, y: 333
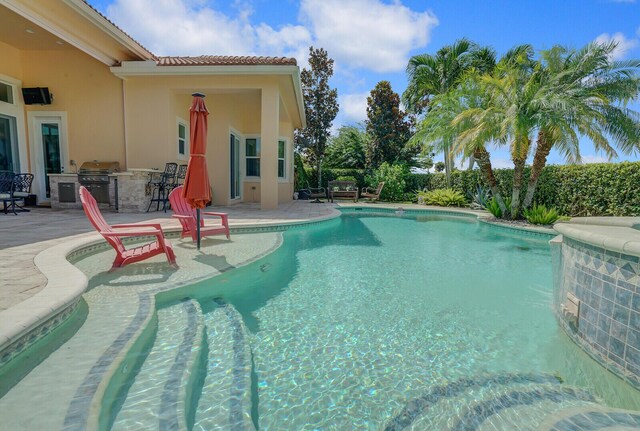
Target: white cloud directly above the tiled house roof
x: 189, y: 27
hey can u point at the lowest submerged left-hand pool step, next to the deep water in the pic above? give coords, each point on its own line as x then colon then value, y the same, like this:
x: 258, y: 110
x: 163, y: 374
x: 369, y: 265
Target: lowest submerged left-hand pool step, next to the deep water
x: 226, y: 403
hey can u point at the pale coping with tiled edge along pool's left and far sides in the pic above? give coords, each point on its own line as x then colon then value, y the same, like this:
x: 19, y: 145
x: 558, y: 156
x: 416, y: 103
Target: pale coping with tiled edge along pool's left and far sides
x: 66, y: 284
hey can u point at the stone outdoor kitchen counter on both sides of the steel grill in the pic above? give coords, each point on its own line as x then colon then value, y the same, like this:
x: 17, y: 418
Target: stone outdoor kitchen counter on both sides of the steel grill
x: 132, y: 193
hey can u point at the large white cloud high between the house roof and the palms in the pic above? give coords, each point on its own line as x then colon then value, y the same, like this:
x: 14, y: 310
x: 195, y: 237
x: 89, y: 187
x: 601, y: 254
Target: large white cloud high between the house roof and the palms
x: 367, y: 34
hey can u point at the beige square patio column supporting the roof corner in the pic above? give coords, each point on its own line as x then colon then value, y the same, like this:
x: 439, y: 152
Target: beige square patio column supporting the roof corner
x: 270, y: 122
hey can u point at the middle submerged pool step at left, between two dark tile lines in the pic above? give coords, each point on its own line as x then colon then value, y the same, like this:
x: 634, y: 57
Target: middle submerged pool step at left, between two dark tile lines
x: 160, y: 393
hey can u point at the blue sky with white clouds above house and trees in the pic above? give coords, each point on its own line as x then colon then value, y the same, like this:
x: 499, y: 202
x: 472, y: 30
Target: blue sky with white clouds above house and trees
x: 371, y: 40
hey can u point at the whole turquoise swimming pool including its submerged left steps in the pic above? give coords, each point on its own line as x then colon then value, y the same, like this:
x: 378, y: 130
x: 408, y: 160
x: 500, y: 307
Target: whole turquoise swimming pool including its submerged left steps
x: 365, y: 322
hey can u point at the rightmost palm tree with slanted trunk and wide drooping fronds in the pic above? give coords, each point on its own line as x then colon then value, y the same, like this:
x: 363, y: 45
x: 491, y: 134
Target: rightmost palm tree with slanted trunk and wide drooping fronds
x: 585, y: 94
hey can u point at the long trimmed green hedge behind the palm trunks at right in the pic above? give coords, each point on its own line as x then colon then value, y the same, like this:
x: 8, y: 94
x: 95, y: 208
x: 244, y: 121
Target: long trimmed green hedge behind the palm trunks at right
x: 599, y: 189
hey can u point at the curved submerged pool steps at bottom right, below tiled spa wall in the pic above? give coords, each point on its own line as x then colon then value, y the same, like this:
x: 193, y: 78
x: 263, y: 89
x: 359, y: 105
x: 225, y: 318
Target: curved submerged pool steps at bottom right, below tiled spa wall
x: 528, y: 402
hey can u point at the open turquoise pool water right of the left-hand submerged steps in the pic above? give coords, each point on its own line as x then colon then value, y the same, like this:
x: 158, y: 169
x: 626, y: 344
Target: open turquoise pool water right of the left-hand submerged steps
x: 353, y: 322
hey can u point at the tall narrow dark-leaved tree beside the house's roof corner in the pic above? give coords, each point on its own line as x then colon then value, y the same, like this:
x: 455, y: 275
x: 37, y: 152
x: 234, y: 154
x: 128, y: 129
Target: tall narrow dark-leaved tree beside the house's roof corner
x: 320, y: 106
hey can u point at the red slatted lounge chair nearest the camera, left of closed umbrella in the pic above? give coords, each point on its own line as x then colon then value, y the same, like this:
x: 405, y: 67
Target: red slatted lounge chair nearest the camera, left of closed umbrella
x: 113, y: 234
